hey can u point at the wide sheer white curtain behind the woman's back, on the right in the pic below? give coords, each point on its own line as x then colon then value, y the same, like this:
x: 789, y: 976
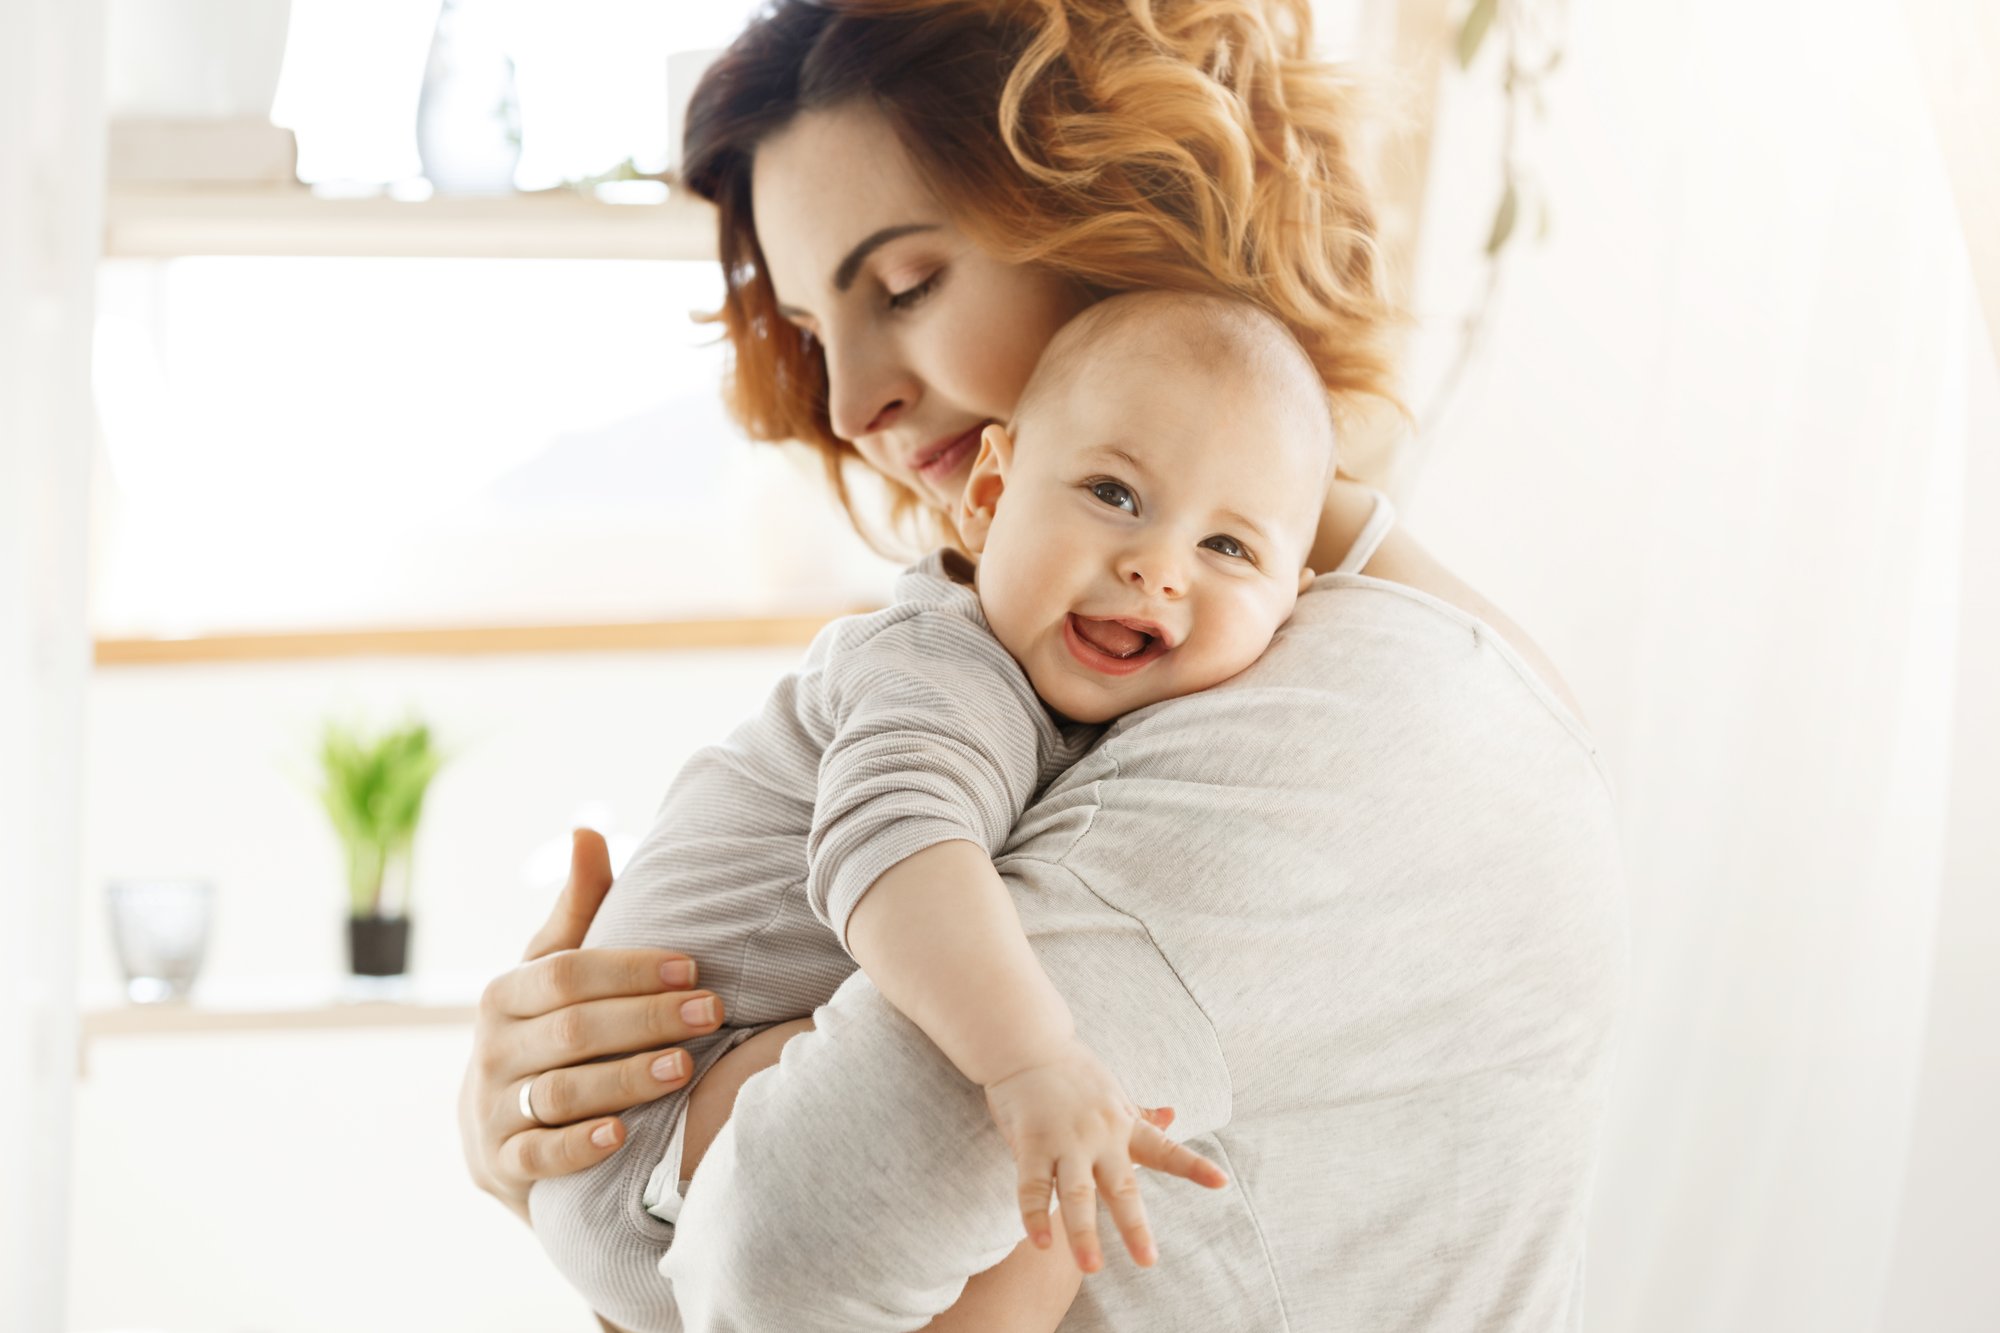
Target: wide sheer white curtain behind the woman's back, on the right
x: 1731, y: 457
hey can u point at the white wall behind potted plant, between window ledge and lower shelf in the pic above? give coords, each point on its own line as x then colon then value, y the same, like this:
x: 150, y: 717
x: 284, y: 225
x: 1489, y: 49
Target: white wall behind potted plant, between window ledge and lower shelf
x: 209, y: 772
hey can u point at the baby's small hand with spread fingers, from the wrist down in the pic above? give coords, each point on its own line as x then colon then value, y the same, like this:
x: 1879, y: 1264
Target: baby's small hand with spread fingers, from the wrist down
x: 1069, y: 1120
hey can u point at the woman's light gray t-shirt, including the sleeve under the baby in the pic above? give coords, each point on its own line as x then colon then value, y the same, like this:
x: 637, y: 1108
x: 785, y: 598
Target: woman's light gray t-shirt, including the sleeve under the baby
x: 1357, y: 916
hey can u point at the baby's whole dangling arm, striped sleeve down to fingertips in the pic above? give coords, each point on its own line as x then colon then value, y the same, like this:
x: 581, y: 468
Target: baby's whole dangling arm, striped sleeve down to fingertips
x: 935, y: 744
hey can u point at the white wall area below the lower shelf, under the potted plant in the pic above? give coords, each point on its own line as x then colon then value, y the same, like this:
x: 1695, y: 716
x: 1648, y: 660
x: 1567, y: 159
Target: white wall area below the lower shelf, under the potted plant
x: 293, y: 1184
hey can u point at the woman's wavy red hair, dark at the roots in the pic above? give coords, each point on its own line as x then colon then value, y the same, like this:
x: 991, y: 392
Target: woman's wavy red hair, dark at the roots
x: 1187, y: 145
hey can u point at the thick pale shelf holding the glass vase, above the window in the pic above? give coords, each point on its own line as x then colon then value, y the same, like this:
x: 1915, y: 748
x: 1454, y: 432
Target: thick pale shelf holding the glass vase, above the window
x: 179, y: 221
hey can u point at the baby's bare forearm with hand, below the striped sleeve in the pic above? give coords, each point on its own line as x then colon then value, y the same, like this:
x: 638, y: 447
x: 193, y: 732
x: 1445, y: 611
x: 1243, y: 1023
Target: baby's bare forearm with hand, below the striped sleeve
x: 941, y: 940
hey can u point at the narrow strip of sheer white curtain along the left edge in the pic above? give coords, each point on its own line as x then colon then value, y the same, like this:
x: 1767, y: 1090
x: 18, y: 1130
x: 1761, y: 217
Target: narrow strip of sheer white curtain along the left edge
x: 51, y: 219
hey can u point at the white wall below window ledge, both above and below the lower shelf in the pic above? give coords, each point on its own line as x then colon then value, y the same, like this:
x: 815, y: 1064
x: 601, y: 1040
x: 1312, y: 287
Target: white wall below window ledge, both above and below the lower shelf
x: 313, y: 1184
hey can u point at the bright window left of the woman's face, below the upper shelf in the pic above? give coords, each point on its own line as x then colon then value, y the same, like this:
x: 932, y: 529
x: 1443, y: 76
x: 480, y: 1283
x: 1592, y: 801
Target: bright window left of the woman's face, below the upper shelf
x: 315, y: 443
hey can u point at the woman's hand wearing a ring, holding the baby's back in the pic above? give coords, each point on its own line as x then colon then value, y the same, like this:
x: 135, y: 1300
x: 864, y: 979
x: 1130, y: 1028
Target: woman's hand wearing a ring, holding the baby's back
x: 549, y: 1018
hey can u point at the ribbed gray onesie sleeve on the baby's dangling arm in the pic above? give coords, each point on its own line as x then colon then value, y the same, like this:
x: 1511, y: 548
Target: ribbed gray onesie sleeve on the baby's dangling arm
x: 937, y: 738
